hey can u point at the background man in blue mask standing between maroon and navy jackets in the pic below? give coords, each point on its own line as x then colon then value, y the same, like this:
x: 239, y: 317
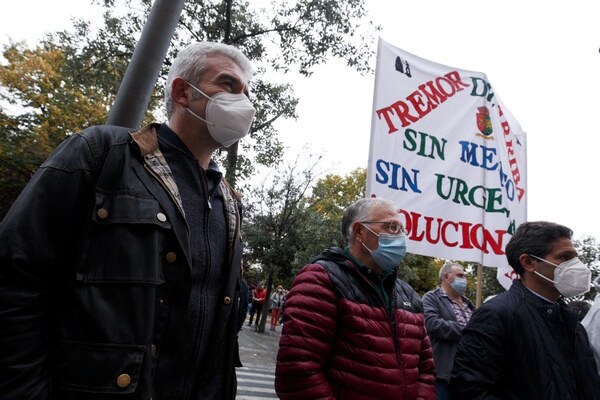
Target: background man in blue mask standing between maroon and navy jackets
x: 447, y: 311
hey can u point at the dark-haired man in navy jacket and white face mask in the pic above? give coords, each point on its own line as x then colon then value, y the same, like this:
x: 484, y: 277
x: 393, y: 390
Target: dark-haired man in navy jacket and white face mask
x: 526, y: 343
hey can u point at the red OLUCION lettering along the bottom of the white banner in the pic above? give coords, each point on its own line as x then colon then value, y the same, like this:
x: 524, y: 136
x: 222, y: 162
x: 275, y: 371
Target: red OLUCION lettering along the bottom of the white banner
x: 464, y: 235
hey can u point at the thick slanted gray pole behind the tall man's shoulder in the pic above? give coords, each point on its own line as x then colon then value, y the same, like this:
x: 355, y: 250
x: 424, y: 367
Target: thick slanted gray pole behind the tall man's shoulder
x: 140, y: 77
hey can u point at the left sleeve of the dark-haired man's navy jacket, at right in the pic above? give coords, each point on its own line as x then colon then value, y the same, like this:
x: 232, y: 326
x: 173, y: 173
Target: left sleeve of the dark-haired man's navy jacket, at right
x: 478, y: 370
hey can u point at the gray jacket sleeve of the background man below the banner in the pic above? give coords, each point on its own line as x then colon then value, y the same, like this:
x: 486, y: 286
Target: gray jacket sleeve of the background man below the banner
x: 436, y: 319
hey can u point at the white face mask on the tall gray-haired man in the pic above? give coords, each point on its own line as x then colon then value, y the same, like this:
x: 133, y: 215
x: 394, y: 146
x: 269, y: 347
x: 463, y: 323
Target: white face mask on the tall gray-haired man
x: 228, y: 116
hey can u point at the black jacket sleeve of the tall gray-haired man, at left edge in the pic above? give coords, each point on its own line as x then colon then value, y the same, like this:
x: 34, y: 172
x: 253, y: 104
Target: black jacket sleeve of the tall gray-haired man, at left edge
x: 36, y: 239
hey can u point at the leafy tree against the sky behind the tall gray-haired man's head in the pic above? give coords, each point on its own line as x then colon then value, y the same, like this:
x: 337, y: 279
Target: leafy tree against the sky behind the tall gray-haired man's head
x: 281, y: 38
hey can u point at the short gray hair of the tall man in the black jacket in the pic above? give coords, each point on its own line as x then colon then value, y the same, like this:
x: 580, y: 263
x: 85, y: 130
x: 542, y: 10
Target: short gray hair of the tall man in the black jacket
x: 190, y: 63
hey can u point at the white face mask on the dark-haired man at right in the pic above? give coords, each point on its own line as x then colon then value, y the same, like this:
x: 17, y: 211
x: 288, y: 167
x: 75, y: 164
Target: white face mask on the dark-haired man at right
x: 571, y: 278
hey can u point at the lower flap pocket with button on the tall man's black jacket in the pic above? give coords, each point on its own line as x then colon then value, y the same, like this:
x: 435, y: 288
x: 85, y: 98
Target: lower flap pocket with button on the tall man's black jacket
x: 98, y: 367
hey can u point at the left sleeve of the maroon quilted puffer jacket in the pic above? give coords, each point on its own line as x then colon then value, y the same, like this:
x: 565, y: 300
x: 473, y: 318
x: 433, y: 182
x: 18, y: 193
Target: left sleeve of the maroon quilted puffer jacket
x: 307, y: 337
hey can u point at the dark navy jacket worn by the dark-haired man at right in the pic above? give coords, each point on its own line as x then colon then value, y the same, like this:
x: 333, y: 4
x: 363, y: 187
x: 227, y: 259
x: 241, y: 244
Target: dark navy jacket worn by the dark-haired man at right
x: 519, y: 346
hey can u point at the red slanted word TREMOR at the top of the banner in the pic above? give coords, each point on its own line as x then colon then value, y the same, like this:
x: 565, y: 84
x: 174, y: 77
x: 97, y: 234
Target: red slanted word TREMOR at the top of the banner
x: 420, y: 102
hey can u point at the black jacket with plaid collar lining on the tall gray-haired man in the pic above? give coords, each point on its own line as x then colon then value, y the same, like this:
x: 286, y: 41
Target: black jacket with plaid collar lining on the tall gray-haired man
x: 95, y: 275
